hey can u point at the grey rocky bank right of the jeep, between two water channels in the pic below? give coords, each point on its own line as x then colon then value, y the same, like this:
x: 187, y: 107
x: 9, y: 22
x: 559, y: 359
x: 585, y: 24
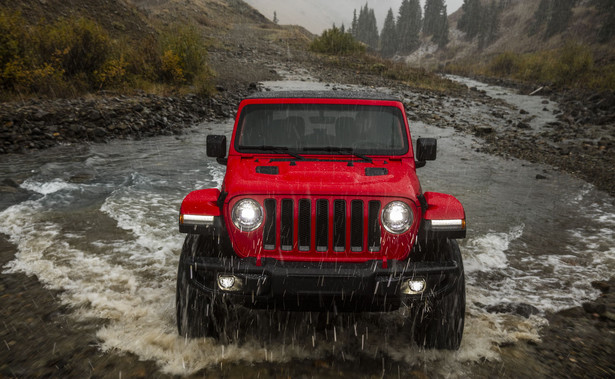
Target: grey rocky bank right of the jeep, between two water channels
x: 581, y: 141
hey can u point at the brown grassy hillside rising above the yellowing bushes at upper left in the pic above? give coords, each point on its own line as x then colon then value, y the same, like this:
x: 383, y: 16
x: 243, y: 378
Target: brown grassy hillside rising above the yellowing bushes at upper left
x: 239, y: 39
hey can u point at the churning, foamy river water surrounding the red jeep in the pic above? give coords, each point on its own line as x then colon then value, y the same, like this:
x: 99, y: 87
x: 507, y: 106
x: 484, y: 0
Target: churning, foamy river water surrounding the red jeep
x: 99, y: 223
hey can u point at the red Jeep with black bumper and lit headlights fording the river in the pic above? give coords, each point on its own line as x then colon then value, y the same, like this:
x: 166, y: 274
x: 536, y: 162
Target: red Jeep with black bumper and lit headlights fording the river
x: 321, y: 209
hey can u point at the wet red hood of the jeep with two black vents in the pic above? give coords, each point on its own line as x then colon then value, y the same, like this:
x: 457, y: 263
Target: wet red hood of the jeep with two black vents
x: 343, y: 177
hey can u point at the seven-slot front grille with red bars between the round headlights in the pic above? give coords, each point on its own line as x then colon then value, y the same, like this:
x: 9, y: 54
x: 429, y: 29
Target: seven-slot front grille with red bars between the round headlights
x: 322, y: 225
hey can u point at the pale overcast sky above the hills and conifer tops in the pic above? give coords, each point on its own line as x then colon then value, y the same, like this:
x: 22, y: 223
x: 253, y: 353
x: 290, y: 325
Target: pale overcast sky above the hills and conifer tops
x: 318, y: 15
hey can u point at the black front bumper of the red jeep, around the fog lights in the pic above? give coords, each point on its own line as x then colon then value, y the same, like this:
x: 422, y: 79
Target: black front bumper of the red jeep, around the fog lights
x: 314, y: 286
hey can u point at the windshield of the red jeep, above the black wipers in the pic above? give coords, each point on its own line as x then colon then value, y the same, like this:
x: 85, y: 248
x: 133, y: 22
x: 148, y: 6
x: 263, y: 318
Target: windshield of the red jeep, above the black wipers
x: 321, y: 128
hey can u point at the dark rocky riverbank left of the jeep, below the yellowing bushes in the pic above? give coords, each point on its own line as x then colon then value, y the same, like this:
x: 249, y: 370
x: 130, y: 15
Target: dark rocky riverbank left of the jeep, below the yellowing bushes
x: 38, y: 124
